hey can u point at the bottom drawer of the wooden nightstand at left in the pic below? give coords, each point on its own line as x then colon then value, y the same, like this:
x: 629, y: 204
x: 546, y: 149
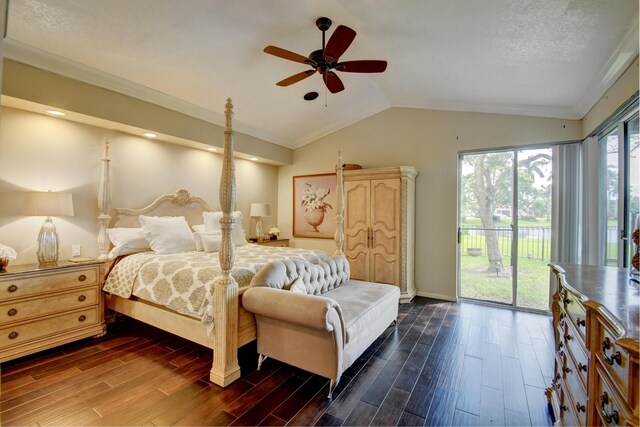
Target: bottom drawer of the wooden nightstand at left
x: 20, y: 333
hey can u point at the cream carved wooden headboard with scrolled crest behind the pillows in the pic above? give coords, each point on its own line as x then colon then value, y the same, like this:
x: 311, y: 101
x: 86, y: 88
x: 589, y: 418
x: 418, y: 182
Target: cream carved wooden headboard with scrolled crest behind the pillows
x: 180, y: 203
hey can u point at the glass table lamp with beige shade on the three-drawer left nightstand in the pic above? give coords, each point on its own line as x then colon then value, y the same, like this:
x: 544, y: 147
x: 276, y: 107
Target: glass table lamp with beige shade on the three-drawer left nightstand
x: 38, y: 203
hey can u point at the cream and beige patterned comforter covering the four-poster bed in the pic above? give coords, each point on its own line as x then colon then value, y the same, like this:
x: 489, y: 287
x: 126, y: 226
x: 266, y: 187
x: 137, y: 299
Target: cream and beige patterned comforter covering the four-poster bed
x: 183, y: 282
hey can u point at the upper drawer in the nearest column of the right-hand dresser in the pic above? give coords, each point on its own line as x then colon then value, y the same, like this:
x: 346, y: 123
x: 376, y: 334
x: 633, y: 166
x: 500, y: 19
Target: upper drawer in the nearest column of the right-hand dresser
x: 614, y: 358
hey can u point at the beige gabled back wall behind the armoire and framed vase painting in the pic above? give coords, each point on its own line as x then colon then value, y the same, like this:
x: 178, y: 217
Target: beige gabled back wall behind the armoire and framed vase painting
x: 429, y: 140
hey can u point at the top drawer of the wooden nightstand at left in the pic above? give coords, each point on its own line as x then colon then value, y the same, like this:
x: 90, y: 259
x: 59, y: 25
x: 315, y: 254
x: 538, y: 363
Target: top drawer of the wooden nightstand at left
x: 51, y: 282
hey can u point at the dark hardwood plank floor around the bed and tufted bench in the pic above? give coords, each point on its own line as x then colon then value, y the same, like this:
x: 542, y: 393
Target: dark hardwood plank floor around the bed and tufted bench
x: 444, y: 364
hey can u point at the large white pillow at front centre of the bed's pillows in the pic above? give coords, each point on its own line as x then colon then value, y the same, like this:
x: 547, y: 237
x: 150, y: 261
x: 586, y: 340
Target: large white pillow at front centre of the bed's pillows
x: 167, y: 234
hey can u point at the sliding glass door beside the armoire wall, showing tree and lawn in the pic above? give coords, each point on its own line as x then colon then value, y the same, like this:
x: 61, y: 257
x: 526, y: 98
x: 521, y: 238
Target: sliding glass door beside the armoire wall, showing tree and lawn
x: 504, y: 238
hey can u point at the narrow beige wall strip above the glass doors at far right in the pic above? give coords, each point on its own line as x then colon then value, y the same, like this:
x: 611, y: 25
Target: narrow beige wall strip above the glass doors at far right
x: 622, y: 90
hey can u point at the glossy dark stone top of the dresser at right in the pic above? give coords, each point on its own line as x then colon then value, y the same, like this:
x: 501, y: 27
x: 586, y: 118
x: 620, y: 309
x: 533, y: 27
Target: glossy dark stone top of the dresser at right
x: 607, y: 289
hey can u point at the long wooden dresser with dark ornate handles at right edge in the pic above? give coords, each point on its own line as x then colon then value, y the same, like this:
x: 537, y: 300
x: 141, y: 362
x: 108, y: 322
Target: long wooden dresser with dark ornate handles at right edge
x: 596, y: 315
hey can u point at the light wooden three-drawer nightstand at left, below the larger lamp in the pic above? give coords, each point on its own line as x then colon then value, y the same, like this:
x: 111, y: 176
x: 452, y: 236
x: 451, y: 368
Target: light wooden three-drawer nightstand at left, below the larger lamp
x: 46, y: 306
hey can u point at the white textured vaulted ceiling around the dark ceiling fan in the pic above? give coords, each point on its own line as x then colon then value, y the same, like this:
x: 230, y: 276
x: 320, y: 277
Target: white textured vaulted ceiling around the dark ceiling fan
x: 537, y: 57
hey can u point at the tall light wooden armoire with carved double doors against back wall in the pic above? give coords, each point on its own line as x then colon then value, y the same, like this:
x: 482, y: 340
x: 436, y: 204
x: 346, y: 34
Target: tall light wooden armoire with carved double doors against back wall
x: 380, y: 226
